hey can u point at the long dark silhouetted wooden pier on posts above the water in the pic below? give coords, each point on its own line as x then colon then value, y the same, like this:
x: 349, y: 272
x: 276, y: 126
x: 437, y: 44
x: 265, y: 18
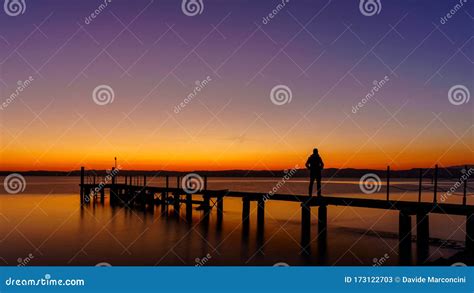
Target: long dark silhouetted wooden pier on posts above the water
x: 134, y: 191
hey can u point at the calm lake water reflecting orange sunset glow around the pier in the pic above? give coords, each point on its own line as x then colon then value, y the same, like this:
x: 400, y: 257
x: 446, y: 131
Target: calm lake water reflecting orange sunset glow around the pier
x: 45, y: 225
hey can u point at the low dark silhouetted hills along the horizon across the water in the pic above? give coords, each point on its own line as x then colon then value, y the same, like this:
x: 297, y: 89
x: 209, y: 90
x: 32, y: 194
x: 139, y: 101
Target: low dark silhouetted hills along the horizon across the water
x: 450, y: 172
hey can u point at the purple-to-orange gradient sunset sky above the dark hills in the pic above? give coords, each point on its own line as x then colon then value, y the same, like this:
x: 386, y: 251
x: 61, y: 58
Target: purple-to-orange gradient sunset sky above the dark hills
x: 327, y: 52
